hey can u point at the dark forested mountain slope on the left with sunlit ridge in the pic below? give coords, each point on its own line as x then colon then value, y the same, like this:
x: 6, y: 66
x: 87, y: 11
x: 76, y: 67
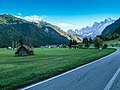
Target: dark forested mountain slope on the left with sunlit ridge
x: 35, y: 34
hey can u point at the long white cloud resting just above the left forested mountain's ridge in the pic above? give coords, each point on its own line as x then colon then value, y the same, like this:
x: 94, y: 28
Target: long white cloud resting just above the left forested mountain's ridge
x: 33, y: 18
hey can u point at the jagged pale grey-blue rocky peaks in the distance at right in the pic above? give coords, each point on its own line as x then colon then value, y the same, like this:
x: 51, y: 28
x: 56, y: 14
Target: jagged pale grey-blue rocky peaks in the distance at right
x: 93, y: 31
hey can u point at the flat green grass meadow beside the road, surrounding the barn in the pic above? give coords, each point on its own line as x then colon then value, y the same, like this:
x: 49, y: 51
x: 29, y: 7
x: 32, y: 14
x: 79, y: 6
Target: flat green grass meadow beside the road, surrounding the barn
x: 17, y: 72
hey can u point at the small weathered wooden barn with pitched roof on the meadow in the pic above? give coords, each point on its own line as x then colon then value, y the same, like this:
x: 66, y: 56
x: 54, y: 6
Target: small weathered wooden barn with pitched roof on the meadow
x: 24, y: 50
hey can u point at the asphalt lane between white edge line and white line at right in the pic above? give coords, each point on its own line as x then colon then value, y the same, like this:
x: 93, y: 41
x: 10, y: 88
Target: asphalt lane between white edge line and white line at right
x: 94, y: 76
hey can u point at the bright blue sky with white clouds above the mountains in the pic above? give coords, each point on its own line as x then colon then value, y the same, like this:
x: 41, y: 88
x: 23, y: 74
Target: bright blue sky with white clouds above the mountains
x: 66, y: 14
